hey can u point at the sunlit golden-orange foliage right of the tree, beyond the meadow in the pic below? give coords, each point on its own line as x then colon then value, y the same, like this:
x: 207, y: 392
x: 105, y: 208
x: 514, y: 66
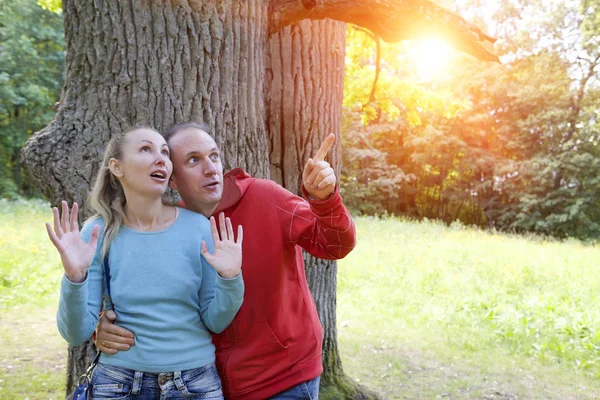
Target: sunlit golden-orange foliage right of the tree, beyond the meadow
x: 518, y: 152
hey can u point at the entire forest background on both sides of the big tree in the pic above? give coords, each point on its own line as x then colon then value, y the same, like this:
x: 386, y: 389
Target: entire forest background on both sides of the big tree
x: 428, y: 132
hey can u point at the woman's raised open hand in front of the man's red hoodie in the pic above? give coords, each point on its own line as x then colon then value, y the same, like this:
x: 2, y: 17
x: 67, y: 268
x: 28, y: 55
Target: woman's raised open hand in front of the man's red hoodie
x: 227, y: 258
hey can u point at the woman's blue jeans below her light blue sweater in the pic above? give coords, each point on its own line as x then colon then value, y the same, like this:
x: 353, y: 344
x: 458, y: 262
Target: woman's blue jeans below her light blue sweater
x: 109, y: 382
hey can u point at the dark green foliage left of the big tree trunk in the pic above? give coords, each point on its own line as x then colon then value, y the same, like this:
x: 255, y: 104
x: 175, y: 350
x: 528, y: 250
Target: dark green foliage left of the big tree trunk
x: 31, y: 77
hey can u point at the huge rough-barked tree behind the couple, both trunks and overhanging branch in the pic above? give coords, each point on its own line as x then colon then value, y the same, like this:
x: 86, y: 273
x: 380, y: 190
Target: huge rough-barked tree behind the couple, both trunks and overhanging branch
x: 145, y: 62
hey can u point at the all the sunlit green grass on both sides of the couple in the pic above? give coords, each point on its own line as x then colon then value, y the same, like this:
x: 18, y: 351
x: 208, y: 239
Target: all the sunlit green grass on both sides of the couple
x: 425, y: 311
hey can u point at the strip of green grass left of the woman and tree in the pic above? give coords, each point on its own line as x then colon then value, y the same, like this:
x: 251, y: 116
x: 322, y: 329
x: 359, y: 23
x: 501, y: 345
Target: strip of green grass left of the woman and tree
x: 32, y: 353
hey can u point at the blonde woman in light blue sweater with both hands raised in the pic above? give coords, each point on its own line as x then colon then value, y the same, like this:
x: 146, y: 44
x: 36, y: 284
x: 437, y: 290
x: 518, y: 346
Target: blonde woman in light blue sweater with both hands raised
x: 161, y: 287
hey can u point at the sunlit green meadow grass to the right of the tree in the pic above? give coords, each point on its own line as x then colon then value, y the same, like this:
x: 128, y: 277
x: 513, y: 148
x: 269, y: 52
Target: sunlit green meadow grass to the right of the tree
x: 455, y: 308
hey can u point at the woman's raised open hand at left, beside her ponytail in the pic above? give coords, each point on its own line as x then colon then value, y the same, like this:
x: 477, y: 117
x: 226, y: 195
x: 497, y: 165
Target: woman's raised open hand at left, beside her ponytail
x: 75, y: 254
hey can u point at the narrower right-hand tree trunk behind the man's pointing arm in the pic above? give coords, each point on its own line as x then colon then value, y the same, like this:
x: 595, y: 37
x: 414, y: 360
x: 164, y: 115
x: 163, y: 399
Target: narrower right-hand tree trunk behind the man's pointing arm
x: 304, y: 90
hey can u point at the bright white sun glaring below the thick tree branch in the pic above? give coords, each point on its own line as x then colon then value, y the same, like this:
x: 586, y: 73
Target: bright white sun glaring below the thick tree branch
x: 432, y: 58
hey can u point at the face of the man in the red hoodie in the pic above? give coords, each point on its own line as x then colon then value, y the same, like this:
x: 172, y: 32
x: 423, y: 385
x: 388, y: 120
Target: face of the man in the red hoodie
x: 197, y: 170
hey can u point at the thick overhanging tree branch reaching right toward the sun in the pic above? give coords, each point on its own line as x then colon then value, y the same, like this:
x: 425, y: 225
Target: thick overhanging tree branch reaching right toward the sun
x: 392, y: 20
